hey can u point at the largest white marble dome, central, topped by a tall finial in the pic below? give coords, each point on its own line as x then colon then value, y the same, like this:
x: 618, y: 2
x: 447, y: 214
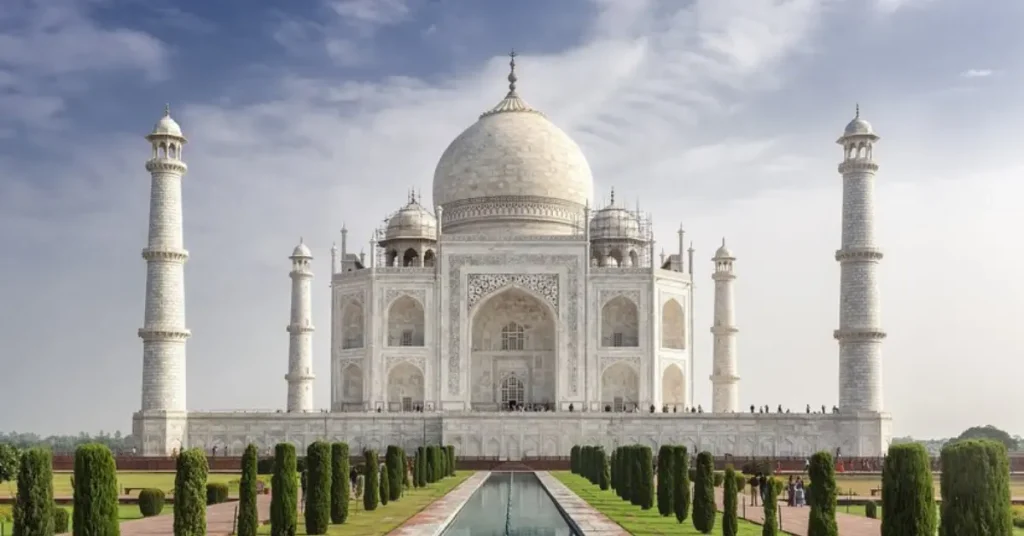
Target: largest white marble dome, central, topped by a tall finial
x: 514, y: 172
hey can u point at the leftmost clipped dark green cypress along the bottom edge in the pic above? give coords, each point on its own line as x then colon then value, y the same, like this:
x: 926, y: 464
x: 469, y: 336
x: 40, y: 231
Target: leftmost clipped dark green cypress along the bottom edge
x: 34, y: 508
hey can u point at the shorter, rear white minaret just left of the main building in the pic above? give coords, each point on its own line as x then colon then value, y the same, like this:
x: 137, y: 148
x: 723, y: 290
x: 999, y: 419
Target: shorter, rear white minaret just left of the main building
x: 301, y: 329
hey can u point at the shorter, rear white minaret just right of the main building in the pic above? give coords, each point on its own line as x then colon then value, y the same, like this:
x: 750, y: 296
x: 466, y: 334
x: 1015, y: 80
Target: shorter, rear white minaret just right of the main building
x: 726, y: 389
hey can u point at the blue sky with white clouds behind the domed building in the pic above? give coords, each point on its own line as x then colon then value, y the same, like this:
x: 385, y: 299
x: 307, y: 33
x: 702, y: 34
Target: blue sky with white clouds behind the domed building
x: 718, y: 115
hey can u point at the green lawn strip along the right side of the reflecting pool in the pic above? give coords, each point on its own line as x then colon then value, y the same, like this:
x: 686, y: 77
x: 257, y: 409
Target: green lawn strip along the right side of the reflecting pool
x: 634, y: 520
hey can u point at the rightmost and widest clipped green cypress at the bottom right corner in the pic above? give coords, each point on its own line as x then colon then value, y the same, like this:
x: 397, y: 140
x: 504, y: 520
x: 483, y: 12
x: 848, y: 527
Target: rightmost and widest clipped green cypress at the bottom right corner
x: 975, y: 489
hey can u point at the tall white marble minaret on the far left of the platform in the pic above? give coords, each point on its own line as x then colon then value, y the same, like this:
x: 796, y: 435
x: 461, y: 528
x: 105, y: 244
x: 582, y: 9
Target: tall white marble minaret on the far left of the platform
x: 163, y: 332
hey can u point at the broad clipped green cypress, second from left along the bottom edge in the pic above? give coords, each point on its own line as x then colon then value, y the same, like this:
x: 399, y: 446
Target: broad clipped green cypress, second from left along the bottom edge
x: 96, y: 510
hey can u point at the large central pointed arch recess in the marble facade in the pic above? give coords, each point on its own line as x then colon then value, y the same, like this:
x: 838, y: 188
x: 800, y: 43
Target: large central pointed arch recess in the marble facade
x: 514, y: 334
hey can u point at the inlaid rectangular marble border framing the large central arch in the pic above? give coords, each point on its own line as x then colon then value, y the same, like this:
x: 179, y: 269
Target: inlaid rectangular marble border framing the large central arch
x: 456, y: 263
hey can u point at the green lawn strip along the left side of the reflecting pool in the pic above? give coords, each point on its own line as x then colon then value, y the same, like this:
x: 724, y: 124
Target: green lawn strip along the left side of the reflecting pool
x: 387, y: 519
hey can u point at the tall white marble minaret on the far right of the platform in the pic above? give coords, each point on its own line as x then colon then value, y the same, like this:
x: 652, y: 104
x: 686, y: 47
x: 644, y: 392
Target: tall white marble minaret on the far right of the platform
x: 860, y: 333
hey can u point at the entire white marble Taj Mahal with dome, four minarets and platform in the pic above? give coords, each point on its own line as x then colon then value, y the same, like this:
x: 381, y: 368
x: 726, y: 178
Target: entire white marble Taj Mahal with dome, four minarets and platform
x: 515, y: 319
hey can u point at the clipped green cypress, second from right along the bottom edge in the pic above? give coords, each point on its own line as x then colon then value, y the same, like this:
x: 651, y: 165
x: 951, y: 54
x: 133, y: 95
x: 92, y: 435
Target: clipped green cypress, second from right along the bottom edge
x: 908, y: 492
